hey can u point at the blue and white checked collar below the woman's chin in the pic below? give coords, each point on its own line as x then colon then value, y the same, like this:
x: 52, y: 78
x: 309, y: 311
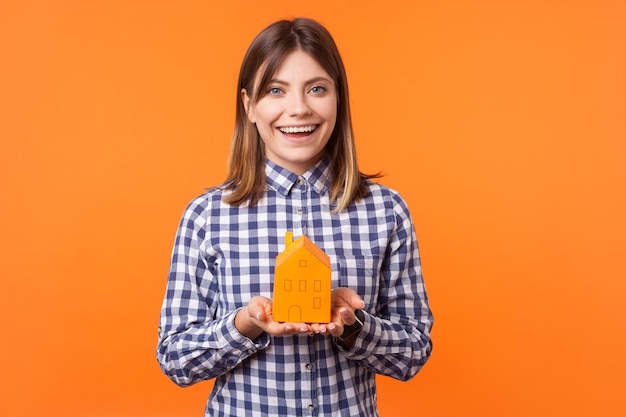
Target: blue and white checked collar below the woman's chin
x: 283, y: 180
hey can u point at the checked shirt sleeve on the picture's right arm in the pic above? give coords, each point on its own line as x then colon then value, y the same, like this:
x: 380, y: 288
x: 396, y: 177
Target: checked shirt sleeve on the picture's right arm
x: 395, y: 339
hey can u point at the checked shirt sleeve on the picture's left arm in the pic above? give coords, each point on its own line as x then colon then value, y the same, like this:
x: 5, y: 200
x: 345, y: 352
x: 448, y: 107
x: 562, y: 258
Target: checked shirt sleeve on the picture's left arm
x: 193, y: 343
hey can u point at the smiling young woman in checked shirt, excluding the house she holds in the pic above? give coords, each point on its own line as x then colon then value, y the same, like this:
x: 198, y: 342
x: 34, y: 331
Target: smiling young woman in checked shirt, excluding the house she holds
x: 293, y: 168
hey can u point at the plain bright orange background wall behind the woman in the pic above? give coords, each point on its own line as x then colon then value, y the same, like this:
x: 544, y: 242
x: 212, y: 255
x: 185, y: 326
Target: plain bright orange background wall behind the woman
x: 502, y: 123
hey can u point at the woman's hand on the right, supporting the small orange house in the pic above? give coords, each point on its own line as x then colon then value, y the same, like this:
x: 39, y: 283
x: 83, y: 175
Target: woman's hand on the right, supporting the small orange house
x: 344, y: 301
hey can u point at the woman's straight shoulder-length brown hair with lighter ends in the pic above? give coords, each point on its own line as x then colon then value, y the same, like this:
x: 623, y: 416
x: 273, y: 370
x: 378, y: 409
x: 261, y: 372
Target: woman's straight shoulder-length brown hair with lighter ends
x: 246, y: 162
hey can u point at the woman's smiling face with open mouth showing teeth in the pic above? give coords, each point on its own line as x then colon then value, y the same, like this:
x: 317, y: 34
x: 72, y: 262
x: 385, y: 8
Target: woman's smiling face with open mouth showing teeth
x: 296, y: 114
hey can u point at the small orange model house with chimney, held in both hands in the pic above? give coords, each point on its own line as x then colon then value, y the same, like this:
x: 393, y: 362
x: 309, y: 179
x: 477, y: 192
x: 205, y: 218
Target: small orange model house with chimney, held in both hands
x: 302, y: 283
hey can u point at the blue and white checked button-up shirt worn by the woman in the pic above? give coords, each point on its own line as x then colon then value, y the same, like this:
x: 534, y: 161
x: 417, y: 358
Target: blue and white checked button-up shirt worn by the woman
x: 224, y: 255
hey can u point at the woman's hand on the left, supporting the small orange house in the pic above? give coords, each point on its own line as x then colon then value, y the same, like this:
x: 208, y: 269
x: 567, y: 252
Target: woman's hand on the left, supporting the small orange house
x: 256, y: 318
